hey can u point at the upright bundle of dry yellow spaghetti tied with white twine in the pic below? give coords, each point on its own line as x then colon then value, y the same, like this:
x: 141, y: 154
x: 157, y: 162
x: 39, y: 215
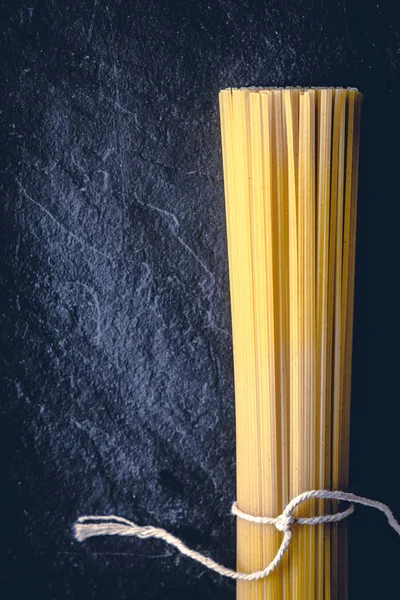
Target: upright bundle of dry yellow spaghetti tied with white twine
x: 290, y: 172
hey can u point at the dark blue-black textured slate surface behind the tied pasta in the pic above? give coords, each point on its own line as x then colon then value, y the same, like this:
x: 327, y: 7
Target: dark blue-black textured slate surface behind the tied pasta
x: 116, y: 349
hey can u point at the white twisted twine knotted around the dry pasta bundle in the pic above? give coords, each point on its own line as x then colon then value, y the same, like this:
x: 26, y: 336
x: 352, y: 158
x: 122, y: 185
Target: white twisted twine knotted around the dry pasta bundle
x: 90, y: 526
